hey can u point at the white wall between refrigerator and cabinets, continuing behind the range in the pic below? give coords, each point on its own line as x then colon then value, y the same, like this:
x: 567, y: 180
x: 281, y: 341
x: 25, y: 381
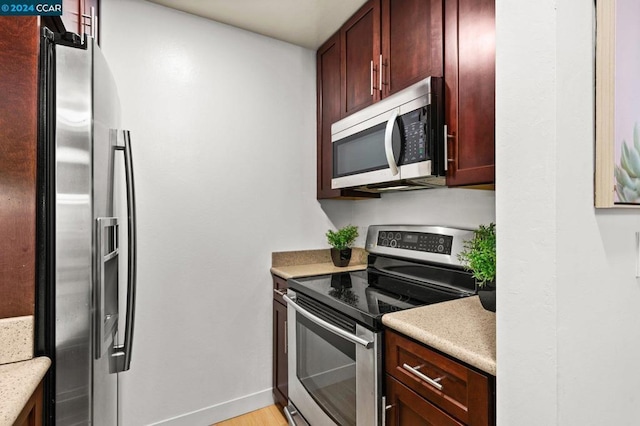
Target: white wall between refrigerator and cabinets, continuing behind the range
x: 223, y: 128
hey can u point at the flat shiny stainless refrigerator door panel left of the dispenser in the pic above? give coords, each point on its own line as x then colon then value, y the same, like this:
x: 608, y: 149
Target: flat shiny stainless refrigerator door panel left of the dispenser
x: 73, y: 241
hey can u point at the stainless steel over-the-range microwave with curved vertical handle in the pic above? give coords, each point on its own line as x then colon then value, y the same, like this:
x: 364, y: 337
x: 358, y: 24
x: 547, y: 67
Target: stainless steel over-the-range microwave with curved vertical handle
x: 395, y: 144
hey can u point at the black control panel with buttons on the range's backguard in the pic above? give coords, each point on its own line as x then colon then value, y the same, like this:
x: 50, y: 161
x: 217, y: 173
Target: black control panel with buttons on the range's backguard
x: 418, y: 241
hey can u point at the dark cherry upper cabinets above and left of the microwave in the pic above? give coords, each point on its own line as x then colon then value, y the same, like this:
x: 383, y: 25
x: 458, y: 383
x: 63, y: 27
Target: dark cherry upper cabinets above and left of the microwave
x: 385, y: 46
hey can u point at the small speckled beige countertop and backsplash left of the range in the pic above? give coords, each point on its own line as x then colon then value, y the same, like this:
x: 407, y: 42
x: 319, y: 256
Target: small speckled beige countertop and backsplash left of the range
x: 306, y: 263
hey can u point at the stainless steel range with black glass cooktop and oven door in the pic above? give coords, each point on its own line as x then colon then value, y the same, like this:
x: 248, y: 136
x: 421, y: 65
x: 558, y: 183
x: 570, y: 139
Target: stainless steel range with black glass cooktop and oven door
x: 334, y: 322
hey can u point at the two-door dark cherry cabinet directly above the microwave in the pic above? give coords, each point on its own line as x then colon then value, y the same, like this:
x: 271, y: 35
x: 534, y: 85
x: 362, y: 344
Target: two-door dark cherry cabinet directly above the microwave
x: 387, y: 46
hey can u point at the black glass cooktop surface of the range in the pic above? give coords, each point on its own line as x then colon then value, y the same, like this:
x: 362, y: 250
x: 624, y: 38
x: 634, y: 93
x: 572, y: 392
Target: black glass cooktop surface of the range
x: 367, y: 295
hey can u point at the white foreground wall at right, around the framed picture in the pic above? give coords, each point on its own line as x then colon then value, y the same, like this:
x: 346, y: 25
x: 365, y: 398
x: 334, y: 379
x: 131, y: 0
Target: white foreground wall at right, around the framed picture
x: 568, y: 305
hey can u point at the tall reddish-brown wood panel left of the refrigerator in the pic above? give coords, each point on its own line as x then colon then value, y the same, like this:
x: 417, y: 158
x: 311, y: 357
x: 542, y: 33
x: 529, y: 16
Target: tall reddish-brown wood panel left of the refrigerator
x: 19, y: 45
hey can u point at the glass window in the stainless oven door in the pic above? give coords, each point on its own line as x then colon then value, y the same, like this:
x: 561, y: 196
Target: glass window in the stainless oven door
x: 326, y: 367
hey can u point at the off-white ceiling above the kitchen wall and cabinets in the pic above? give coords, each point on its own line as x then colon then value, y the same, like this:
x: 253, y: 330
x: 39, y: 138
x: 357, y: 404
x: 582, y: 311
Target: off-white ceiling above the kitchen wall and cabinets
x: 307, y: 23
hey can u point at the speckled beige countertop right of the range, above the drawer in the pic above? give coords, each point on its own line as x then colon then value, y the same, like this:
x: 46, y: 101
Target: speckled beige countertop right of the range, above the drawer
x: 461, y: 328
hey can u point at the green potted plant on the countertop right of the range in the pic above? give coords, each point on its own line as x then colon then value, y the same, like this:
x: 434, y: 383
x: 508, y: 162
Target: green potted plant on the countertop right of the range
x: 479, y: 257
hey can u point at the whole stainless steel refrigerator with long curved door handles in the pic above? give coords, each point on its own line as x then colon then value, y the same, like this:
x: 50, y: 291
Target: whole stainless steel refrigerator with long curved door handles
x: 86, y: 231
